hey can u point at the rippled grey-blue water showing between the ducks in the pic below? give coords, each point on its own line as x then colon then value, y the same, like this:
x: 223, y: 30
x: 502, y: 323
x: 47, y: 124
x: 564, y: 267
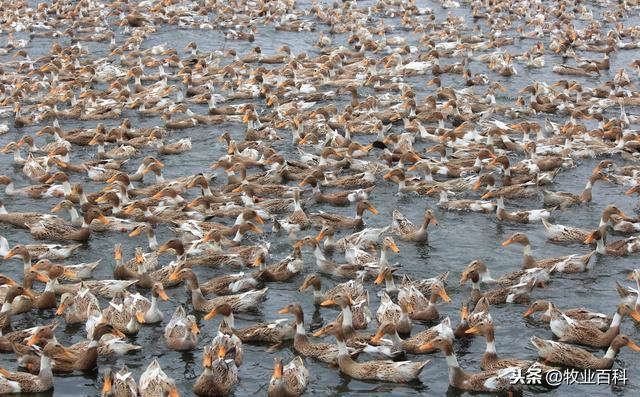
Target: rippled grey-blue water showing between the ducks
x: 458, y: 239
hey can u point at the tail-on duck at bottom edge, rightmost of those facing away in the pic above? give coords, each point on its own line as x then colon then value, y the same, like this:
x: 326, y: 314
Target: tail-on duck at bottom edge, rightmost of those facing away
x: 290, y: 380
